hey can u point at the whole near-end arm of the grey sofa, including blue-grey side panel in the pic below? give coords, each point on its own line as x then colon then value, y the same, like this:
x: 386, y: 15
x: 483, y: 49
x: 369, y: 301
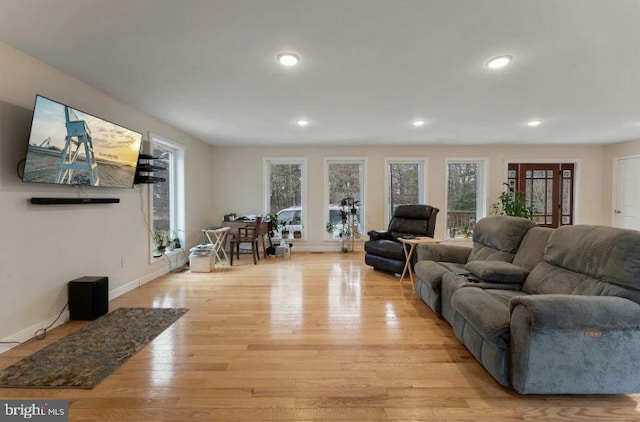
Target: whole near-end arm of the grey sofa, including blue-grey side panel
x: 568, y: 344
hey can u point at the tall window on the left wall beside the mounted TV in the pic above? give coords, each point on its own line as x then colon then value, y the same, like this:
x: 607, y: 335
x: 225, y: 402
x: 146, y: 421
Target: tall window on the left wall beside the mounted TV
x: 167, y: 198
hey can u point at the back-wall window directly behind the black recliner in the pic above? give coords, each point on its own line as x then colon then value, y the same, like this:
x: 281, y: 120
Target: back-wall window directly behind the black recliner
x: 405, y: 183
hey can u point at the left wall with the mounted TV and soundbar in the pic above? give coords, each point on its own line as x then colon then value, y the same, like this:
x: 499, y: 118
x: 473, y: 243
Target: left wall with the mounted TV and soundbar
x: 43, y: 247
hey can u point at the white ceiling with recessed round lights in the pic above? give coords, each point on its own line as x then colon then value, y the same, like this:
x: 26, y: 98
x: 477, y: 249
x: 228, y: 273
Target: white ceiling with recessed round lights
x: 369, y: 67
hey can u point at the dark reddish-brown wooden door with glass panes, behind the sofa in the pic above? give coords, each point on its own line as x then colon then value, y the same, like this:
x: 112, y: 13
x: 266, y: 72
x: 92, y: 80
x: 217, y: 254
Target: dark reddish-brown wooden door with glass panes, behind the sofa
x: 548, y: 187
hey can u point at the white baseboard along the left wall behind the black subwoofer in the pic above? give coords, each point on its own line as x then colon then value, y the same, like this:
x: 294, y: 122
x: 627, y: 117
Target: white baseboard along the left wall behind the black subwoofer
x: 29, y: 332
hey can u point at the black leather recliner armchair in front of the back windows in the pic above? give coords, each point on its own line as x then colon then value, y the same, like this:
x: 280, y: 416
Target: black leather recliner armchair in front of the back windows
x: 383, y: 250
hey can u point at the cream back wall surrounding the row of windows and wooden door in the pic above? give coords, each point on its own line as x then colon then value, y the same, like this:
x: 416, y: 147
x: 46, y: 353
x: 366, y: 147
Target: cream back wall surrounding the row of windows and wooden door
x: 239, y: 178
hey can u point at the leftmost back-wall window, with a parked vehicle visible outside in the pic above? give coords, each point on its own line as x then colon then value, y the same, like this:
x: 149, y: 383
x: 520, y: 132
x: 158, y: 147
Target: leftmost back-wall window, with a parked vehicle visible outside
x: 285, y: 192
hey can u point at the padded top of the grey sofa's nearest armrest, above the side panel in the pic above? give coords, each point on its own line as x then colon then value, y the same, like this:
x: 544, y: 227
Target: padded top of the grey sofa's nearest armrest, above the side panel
x: 566, y: 312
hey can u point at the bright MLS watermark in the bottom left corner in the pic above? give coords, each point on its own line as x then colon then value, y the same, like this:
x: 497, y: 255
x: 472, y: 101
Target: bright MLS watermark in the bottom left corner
x: 34, y: 410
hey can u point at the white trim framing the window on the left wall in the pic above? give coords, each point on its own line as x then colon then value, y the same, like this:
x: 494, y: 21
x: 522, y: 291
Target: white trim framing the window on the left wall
x: 176, y: 192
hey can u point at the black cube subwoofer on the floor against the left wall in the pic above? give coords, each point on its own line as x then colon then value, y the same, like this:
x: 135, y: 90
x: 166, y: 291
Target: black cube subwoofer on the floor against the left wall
x: 88, y: 298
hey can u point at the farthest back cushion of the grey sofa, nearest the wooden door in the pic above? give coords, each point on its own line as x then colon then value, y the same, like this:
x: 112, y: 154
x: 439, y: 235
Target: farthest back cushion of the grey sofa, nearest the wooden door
x: 498, y: 237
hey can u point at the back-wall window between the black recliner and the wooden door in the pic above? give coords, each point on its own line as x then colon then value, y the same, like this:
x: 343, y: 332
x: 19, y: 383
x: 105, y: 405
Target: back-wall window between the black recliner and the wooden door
x: 466, y: 201
